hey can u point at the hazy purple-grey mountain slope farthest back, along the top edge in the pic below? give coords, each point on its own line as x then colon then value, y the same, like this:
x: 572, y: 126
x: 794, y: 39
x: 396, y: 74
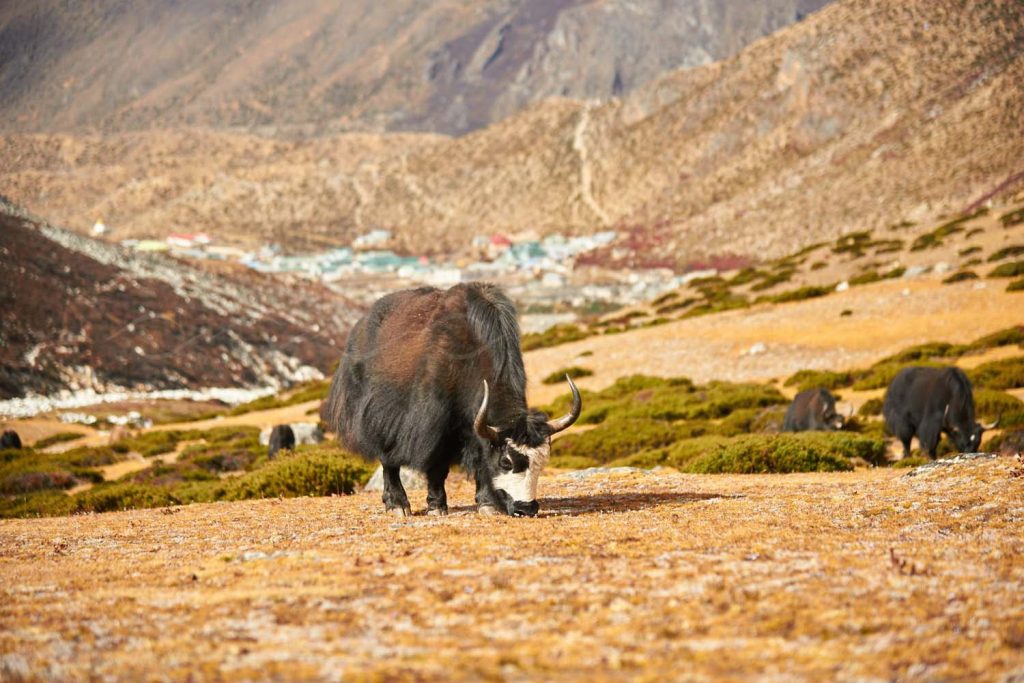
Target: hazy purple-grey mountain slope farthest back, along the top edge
x: 302, y: 66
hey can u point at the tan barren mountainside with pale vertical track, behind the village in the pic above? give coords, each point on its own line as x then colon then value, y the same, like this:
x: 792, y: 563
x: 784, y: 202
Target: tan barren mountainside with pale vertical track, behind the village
x: 865, y: 115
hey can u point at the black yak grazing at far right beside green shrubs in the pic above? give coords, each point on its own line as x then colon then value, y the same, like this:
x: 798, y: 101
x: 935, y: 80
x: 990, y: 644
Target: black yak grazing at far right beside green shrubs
x: 927, y: 402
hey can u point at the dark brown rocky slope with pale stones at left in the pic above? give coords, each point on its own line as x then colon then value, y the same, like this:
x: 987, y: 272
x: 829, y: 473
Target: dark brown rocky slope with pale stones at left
x: 79, y: 315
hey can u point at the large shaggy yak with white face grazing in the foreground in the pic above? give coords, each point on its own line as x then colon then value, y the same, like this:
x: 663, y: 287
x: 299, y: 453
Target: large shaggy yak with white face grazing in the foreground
x: 432, y: 378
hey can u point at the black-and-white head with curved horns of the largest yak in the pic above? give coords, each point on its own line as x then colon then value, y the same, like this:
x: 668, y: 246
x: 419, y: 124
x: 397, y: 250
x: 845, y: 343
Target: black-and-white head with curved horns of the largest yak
x: 517, y: 454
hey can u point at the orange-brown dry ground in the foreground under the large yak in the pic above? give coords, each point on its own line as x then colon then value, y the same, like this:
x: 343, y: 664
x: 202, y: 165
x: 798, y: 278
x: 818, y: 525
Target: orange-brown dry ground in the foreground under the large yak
x: 625, y: 576
